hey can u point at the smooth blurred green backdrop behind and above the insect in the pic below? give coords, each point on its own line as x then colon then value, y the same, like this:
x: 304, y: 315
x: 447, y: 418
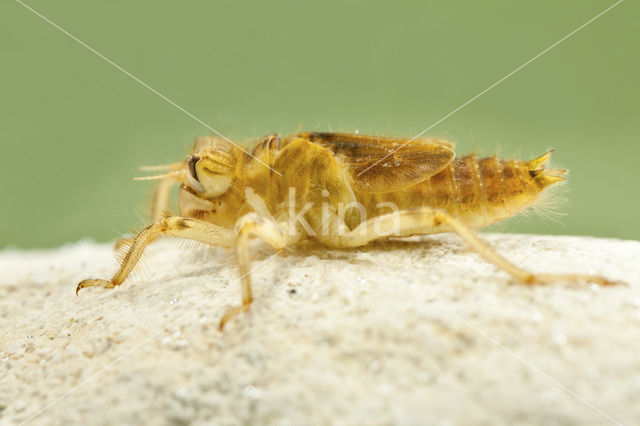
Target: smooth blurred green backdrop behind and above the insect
x: 74, y: 129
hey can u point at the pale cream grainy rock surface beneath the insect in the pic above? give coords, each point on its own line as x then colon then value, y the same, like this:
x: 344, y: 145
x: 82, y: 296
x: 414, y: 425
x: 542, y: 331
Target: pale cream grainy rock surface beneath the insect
x: 418, y: 331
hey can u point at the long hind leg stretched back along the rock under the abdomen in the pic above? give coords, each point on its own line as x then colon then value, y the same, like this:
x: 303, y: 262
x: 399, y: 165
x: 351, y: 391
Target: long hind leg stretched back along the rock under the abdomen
x: 425, y: 219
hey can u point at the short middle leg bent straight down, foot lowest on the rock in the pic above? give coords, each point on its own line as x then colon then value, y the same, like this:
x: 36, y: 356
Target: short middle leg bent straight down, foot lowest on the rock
x: 252, y: 225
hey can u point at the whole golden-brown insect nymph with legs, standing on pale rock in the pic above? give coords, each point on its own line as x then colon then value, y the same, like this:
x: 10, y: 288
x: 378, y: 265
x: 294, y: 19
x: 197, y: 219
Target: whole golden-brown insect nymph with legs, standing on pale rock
x: 342, y: 190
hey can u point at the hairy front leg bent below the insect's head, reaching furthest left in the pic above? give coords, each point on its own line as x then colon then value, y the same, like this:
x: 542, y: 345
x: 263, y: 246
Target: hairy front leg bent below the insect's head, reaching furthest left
x: 170, y: 226
